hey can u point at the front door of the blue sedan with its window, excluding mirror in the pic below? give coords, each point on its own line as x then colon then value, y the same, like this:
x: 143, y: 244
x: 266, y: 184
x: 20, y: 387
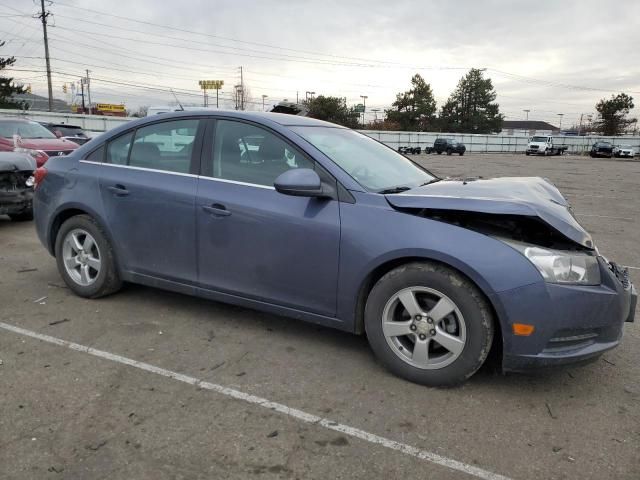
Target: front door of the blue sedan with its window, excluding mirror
x: 256, y: 242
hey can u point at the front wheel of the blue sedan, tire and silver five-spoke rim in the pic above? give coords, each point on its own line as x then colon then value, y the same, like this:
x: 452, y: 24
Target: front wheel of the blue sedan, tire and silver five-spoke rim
x: 471, y: 318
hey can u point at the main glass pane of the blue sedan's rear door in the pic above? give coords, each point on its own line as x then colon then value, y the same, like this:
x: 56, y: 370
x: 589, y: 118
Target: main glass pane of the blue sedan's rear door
x: 165, y: 146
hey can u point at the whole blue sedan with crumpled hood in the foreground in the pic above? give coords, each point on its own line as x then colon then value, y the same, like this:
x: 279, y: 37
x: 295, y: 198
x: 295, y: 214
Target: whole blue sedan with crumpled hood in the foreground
x: 303, y: 218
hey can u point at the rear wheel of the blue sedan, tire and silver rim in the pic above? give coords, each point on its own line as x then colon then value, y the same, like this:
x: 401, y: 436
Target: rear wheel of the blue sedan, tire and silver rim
x: 101, y: 277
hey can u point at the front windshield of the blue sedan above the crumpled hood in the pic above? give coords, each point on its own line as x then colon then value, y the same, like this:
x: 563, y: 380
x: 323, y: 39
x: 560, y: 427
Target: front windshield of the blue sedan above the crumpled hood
x: 372, y: 164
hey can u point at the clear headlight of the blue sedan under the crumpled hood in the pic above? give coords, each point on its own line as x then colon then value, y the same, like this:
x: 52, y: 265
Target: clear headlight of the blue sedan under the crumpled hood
x: 562, y: 266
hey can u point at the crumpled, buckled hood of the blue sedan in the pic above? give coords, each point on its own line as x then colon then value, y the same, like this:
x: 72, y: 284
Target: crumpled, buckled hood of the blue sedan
x: 526, y: 196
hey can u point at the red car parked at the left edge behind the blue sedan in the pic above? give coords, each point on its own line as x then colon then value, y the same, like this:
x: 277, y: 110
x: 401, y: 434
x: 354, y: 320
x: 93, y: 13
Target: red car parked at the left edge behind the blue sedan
x: 17, y: 135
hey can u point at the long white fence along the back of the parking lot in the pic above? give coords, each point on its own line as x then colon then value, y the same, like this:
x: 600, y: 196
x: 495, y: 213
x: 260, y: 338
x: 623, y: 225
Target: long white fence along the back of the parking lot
x: 502, y: 143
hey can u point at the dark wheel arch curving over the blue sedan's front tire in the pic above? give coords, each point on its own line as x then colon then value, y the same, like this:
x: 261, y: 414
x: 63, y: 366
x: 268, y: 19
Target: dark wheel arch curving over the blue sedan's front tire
x: 386, y: 266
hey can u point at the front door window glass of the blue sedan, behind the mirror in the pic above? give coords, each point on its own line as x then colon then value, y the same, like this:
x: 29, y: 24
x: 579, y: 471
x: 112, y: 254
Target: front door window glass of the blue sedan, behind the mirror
x: 250, y: 154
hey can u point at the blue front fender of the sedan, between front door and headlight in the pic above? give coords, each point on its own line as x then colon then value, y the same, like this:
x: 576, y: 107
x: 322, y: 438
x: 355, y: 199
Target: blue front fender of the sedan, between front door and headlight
x: 374, y: 234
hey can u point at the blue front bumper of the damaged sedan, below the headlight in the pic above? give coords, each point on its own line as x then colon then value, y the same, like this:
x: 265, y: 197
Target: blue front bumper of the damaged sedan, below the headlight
x: 573, y: 324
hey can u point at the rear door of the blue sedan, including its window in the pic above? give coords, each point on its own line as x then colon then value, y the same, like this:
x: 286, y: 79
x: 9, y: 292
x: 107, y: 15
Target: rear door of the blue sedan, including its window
x: 148, y: 186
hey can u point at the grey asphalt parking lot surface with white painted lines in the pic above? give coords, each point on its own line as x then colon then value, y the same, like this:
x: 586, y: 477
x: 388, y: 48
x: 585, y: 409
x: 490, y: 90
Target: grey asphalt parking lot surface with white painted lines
x: 110, y: 405
